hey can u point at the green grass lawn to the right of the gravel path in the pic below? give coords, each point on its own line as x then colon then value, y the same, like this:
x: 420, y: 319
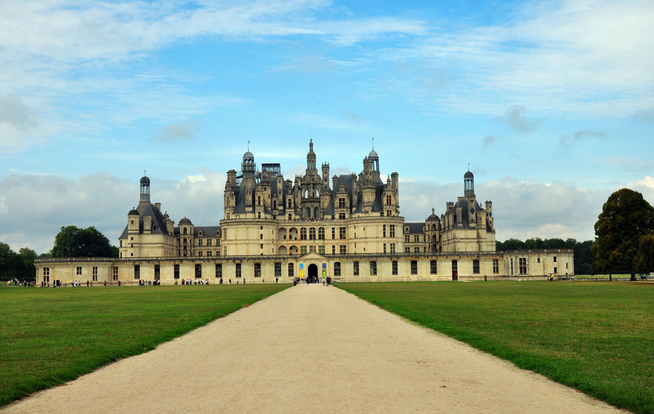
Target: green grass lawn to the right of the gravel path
x: 595, y: 337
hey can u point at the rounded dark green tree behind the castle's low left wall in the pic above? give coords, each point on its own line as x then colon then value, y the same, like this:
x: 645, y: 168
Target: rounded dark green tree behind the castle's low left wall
x: 72, y: 241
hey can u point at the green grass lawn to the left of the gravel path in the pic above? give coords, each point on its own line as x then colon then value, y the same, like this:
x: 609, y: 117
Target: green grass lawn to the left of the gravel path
x: 50, y: 336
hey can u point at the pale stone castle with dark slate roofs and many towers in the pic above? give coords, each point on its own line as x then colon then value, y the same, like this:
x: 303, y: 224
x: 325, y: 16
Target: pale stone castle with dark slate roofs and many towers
x: 347, y: 227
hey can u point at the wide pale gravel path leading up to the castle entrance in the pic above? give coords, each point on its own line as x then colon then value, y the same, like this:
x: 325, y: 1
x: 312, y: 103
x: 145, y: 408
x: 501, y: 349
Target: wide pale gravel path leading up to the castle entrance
x: 311, y: 349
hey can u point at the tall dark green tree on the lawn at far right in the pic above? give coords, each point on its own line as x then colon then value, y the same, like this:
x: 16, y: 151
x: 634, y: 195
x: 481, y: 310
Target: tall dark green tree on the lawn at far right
x: 625, y: 218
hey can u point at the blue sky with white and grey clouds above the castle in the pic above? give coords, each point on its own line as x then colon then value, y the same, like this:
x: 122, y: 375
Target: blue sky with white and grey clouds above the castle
x: 549, y: 103
